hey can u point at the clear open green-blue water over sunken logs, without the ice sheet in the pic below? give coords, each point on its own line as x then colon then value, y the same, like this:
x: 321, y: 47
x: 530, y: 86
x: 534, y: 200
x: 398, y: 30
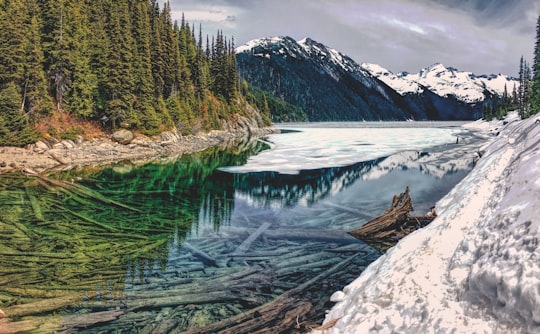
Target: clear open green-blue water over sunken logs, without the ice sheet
x: 161, y: 238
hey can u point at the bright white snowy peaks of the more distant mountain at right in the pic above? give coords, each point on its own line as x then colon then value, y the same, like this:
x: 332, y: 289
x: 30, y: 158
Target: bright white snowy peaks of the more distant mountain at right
x: 445, y: 81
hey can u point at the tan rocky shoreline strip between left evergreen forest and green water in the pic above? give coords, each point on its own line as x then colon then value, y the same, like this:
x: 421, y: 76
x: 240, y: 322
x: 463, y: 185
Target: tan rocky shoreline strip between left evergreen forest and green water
x: 52, y: 154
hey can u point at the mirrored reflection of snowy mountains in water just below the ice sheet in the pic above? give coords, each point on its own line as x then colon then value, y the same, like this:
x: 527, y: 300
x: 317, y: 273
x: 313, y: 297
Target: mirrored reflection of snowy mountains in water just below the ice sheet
x: 310, y: 186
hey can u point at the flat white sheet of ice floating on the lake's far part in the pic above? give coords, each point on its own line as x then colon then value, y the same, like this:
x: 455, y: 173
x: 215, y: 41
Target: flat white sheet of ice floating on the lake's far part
x: 322, y: 145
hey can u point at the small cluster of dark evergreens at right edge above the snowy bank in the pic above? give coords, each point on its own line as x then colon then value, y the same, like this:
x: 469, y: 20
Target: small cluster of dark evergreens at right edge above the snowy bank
x: 526, y: 97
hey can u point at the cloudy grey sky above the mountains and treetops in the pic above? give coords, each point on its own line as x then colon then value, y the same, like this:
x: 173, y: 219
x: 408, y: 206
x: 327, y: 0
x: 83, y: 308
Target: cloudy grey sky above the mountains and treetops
x: 479, y: 36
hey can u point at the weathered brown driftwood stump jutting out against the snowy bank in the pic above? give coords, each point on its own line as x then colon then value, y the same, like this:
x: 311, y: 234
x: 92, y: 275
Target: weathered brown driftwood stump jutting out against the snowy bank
x: 393, y: 224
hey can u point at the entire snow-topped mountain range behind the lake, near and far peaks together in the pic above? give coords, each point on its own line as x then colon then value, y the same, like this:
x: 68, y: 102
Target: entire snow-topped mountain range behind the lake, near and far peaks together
x: 329, y: 86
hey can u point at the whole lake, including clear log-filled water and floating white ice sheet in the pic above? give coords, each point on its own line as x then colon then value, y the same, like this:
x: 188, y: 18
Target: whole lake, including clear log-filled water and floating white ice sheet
x: 249, y: 236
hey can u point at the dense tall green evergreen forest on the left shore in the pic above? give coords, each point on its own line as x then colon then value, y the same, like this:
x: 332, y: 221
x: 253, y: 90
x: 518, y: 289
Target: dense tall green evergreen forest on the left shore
x: 121, y: 63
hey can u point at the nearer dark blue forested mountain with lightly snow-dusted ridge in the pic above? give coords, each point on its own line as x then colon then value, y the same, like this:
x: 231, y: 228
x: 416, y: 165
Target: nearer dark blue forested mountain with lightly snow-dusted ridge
x: 325, y: 84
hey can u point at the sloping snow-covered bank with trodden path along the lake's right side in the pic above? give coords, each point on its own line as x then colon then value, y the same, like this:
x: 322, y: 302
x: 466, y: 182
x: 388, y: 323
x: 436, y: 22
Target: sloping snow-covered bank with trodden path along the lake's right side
x: 476, y: 268
